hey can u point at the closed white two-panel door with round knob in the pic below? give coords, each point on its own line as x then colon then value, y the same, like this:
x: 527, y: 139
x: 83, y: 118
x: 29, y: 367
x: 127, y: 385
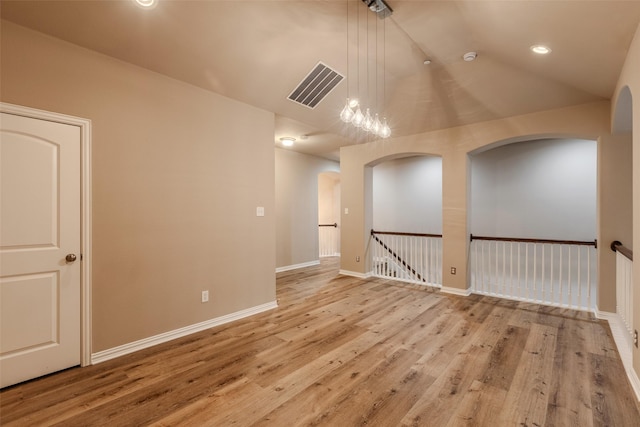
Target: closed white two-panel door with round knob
x: 39, y: 237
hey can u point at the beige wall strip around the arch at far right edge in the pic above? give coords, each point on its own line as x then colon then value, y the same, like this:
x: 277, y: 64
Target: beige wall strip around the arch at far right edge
x: 630, y: 77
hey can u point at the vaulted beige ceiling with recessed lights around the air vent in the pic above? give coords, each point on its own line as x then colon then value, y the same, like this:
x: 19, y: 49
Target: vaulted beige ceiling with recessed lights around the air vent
x: 258, y: 51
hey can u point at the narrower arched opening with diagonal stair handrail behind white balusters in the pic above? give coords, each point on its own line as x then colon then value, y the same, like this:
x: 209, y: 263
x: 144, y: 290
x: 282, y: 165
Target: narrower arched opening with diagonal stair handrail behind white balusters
x: 406, y: 218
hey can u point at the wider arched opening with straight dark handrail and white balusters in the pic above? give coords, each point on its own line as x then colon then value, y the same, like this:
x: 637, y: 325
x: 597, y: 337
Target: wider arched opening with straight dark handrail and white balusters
x: 533, y: 210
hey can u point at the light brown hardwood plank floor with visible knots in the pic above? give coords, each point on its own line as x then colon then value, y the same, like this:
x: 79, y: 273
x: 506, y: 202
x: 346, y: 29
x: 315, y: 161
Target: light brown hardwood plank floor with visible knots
x: 341, y: 351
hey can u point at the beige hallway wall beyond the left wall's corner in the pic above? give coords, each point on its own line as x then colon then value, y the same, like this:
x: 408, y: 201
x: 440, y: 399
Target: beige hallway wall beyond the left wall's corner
x: 297, y: 206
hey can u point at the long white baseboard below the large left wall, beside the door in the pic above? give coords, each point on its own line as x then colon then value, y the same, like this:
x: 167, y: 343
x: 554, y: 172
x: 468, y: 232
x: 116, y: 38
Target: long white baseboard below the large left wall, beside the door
x: 112, y: 353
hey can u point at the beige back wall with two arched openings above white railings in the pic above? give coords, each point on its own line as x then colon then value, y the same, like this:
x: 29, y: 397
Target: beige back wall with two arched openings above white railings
x: 588, y: 121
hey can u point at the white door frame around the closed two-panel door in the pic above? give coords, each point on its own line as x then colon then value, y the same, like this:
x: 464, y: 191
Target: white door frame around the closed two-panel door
x: 85, y: 214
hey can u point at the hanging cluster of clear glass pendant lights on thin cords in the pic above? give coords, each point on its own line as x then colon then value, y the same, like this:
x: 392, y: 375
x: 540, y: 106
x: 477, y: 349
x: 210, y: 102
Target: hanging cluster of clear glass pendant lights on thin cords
x: 352, y: 111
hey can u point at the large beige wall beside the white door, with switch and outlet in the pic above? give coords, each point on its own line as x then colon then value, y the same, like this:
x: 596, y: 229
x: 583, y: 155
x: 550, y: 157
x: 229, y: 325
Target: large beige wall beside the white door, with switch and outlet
x: 177, y: 175
